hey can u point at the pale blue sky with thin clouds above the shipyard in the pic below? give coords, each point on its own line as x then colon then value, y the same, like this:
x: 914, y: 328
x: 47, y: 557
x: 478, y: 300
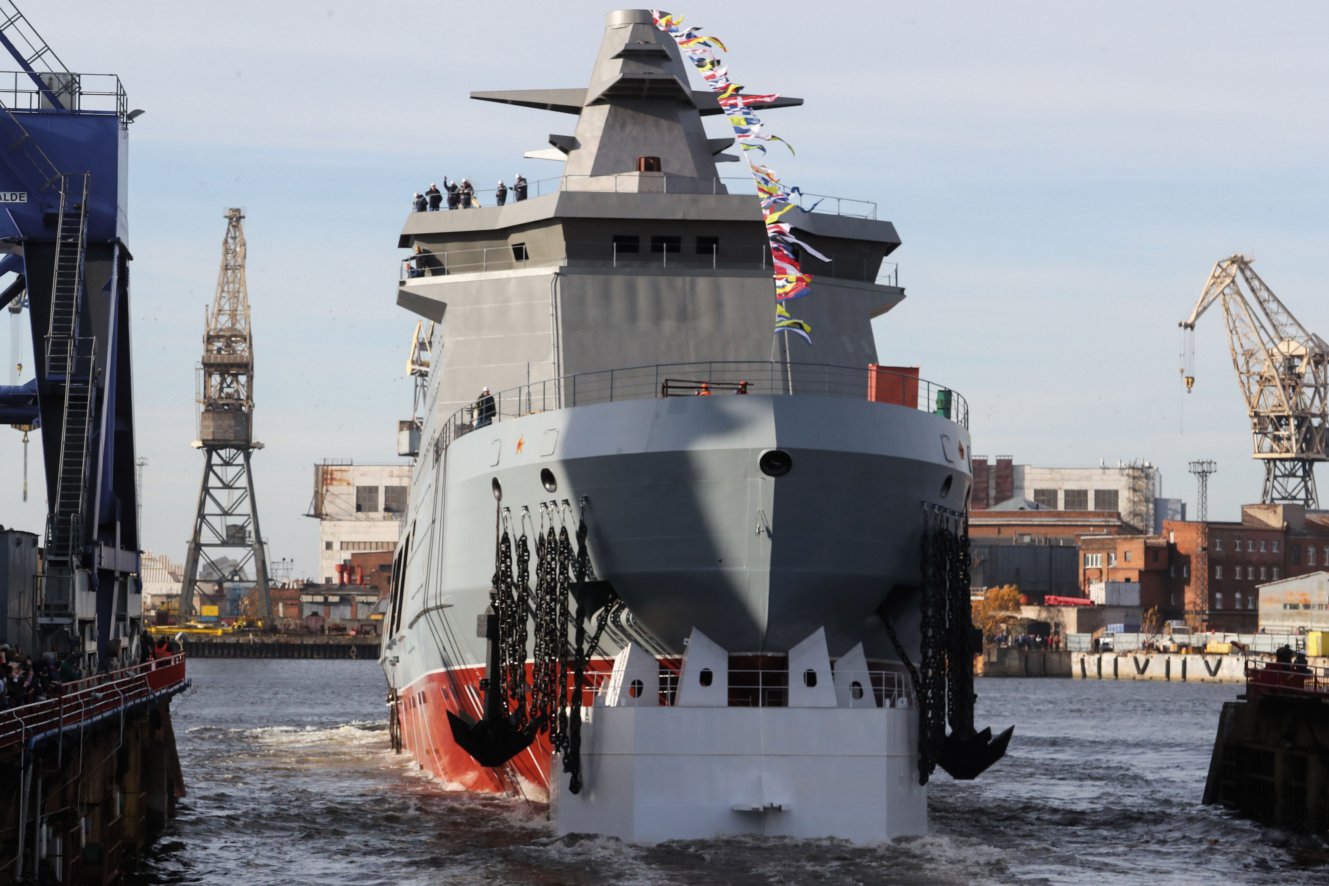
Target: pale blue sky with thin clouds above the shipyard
x: 1063, y: 175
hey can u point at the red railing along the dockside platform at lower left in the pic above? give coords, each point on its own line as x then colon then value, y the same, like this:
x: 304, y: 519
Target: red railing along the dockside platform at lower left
x: 92, y: 699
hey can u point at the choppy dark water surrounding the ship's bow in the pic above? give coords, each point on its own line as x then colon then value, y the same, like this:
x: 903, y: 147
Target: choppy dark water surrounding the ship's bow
x: 292, y: 782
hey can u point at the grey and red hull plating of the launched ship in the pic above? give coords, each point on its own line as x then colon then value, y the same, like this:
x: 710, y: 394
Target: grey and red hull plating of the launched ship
x: 688, y: 529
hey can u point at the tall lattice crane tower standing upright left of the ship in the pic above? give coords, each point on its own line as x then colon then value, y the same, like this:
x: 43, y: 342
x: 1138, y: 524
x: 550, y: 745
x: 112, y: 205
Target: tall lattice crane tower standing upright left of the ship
x: 228, y: 509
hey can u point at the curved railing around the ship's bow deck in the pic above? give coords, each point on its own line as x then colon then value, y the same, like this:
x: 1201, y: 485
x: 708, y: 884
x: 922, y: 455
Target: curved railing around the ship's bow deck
x: 721, y: 379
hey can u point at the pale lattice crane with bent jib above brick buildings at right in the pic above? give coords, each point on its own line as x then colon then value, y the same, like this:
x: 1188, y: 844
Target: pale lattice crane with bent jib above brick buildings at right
x: 1282, y: 370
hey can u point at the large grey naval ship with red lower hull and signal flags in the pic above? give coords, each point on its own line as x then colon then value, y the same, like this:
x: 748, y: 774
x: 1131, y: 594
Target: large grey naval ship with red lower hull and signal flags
x: 676, y: 577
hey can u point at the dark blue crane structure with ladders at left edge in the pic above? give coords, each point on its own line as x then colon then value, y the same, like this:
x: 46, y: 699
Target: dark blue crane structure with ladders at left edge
x: 63, y: 249
